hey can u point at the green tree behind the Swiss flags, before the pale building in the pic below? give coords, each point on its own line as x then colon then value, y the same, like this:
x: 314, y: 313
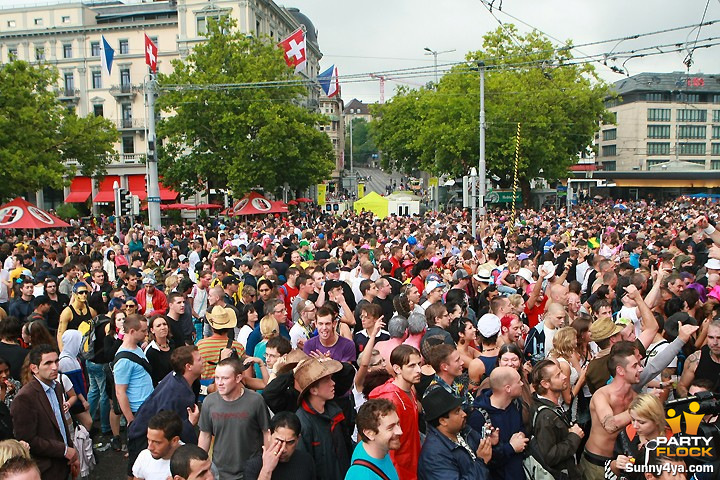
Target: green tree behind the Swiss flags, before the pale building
x: 246, y: 137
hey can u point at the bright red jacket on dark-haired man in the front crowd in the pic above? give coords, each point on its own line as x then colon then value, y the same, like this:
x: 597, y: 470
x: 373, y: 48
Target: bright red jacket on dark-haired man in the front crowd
x: 406, y: 457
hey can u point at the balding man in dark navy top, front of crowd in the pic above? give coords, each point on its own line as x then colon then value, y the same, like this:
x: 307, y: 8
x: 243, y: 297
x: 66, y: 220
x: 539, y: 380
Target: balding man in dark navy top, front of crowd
x: 500, y: 406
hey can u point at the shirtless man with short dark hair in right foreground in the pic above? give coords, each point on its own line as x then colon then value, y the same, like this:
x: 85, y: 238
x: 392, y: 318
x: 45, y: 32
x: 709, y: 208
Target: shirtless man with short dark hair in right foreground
x: 609, y: 409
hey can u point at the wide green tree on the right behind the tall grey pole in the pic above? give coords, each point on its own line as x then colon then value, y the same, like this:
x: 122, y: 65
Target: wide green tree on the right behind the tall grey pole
x: 529, y: 80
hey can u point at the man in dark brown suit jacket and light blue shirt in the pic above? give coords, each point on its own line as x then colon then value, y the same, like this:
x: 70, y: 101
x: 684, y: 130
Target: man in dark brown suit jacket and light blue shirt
x: 39, y: 417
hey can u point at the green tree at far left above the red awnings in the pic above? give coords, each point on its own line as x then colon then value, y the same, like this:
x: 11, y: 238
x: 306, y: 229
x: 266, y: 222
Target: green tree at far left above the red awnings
x: 38, y: 134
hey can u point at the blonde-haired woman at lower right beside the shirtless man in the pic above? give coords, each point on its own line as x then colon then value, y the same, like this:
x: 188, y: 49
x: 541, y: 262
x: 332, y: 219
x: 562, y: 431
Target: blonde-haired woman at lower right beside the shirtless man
x: 647, y: 424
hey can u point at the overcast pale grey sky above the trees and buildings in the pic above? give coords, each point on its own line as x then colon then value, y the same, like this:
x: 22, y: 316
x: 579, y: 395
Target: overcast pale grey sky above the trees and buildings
x: 377, y: 35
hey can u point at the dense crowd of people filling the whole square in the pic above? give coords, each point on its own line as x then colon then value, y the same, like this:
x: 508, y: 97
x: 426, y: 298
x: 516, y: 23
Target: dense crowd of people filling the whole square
x: 312, y: 346
